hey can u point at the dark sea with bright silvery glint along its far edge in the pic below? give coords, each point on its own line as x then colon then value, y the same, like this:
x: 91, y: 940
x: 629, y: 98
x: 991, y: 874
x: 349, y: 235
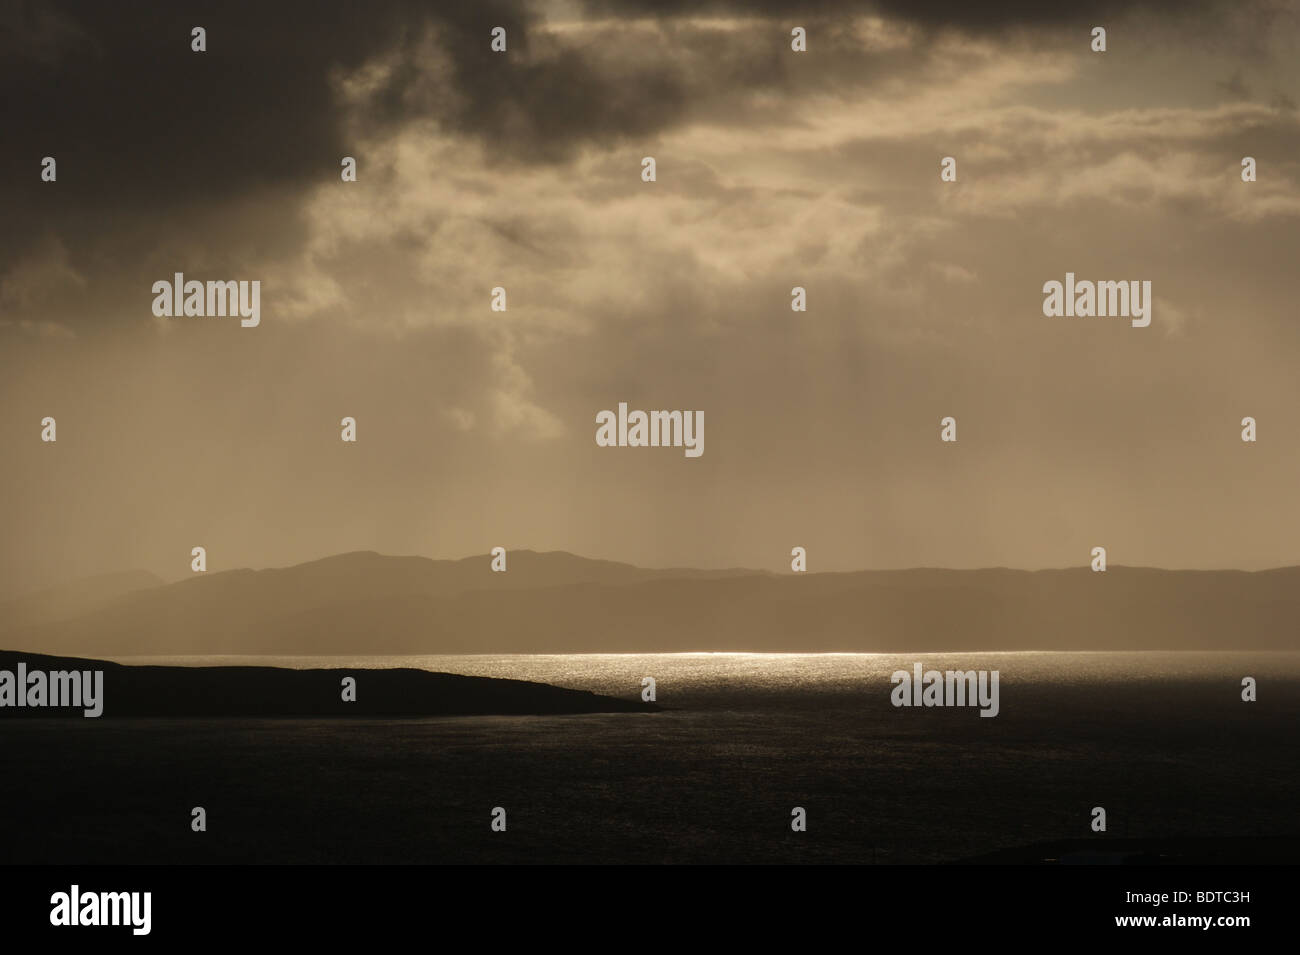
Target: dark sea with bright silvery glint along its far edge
x: 1163, y: 741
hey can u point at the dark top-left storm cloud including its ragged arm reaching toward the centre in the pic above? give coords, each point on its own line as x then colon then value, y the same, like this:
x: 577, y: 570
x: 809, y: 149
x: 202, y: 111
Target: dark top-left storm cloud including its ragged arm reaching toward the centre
x: 136, y: 119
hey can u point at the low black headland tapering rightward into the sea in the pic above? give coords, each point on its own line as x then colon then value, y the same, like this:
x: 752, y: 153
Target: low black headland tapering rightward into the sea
x: 274, y: 692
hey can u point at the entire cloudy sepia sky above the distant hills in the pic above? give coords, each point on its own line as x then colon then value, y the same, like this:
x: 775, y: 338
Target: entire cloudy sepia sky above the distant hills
x: 523, y: 170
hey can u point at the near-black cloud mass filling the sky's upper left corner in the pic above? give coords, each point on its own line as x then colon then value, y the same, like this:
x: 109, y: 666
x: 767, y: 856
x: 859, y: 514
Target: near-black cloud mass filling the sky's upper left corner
x: 151, y: 137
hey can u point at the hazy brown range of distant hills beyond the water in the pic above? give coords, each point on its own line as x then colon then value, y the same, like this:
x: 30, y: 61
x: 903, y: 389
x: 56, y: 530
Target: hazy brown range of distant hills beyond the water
x: 557, y: 602
